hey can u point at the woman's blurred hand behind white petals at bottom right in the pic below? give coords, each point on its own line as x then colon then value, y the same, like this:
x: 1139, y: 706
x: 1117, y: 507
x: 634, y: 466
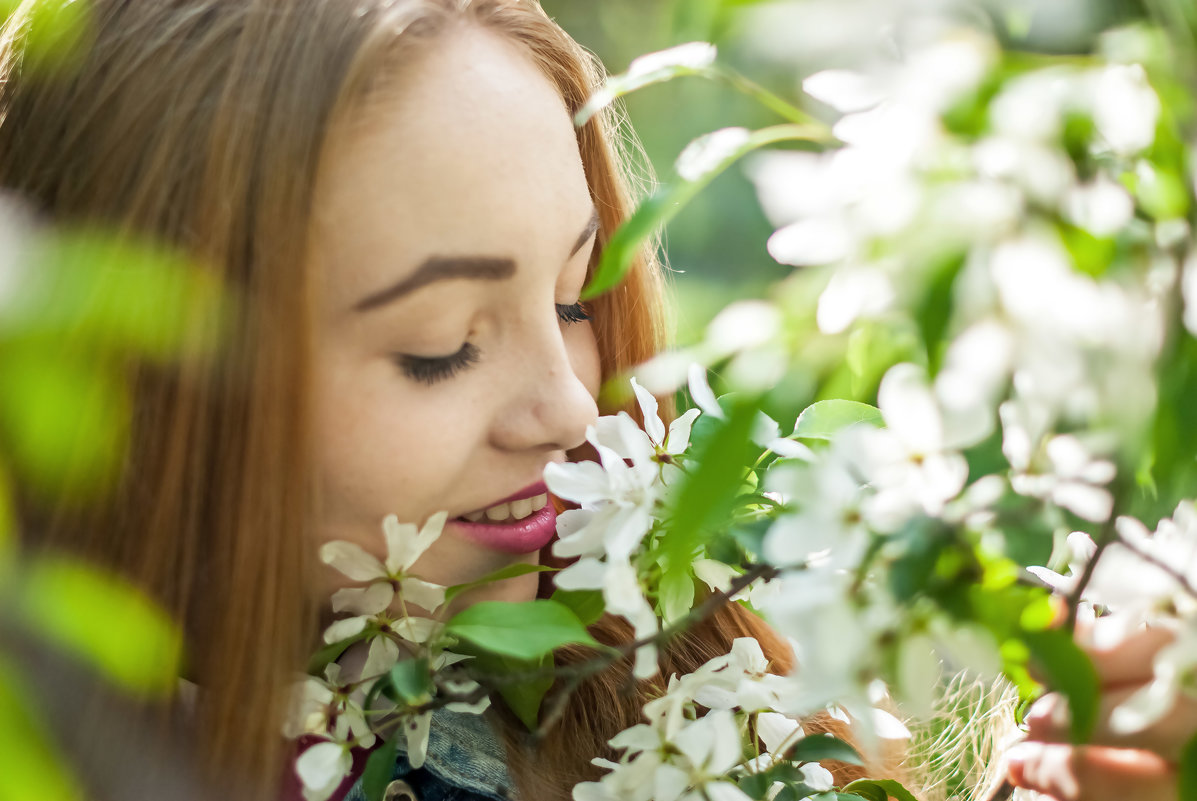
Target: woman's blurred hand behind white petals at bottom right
x: 1115, y: 767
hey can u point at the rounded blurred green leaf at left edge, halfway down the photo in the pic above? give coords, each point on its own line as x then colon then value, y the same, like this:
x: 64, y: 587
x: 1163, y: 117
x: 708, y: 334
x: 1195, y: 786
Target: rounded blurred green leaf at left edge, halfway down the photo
x: 63, y: 421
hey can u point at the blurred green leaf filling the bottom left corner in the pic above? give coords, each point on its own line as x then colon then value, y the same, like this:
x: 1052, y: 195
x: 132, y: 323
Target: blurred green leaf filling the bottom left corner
x: 33, y: 768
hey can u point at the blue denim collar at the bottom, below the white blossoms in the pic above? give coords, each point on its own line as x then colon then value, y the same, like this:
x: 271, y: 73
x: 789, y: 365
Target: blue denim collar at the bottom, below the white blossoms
x: 466, y: 762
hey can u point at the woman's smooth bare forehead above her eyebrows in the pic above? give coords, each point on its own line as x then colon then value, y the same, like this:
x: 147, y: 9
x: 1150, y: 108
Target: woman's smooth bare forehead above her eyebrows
x: 470, y: 150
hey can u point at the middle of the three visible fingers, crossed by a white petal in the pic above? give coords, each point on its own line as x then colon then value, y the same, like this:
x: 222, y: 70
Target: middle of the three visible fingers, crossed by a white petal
x: 1048, y: 721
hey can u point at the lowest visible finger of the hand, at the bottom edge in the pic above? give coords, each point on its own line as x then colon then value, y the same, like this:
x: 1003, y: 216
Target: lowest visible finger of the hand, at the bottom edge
x: 1092, y: 773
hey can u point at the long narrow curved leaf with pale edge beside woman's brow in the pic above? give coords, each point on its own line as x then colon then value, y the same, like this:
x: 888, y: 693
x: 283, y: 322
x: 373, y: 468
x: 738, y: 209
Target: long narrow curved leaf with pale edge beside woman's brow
x: 663, y: 207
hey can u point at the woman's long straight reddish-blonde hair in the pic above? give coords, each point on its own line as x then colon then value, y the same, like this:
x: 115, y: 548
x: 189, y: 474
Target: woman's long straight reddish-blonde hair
x: 203, y: 125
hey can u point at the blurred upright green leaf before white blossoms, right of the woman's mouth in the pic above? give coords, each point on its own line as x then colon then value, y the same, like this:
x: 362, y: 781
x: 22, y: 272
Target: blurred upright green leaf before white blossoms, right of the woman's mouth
x: 707, y: 497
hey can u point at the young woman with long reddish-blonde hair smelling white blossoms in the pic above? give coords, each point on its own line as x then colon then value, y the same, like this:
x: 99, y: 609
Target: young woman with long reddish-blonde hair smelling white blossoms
x: 397, y: 198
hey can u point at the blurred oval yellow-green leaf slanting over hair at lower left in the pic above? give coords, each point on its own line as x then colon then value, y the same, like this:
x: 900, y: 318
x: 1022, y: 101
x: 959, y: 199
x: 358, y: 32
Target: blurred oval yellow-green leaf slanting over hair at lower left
x: 102, y: 621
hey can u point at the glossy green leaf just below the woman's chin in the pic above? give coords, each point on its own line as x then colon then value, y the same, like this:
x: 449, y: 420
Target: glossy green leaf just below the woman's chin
x: 526, y: 630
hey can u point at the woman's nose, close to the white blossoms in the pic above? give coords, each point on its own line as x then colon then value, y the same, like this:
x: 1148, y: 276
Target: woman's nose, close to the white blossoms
x: 550, y: 395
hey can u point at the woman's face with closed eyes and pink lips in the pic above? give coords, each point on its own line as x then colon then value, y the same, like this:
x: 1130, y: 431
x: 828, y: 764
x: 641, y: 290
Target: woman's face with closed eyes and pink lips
x: 454, y: 227
